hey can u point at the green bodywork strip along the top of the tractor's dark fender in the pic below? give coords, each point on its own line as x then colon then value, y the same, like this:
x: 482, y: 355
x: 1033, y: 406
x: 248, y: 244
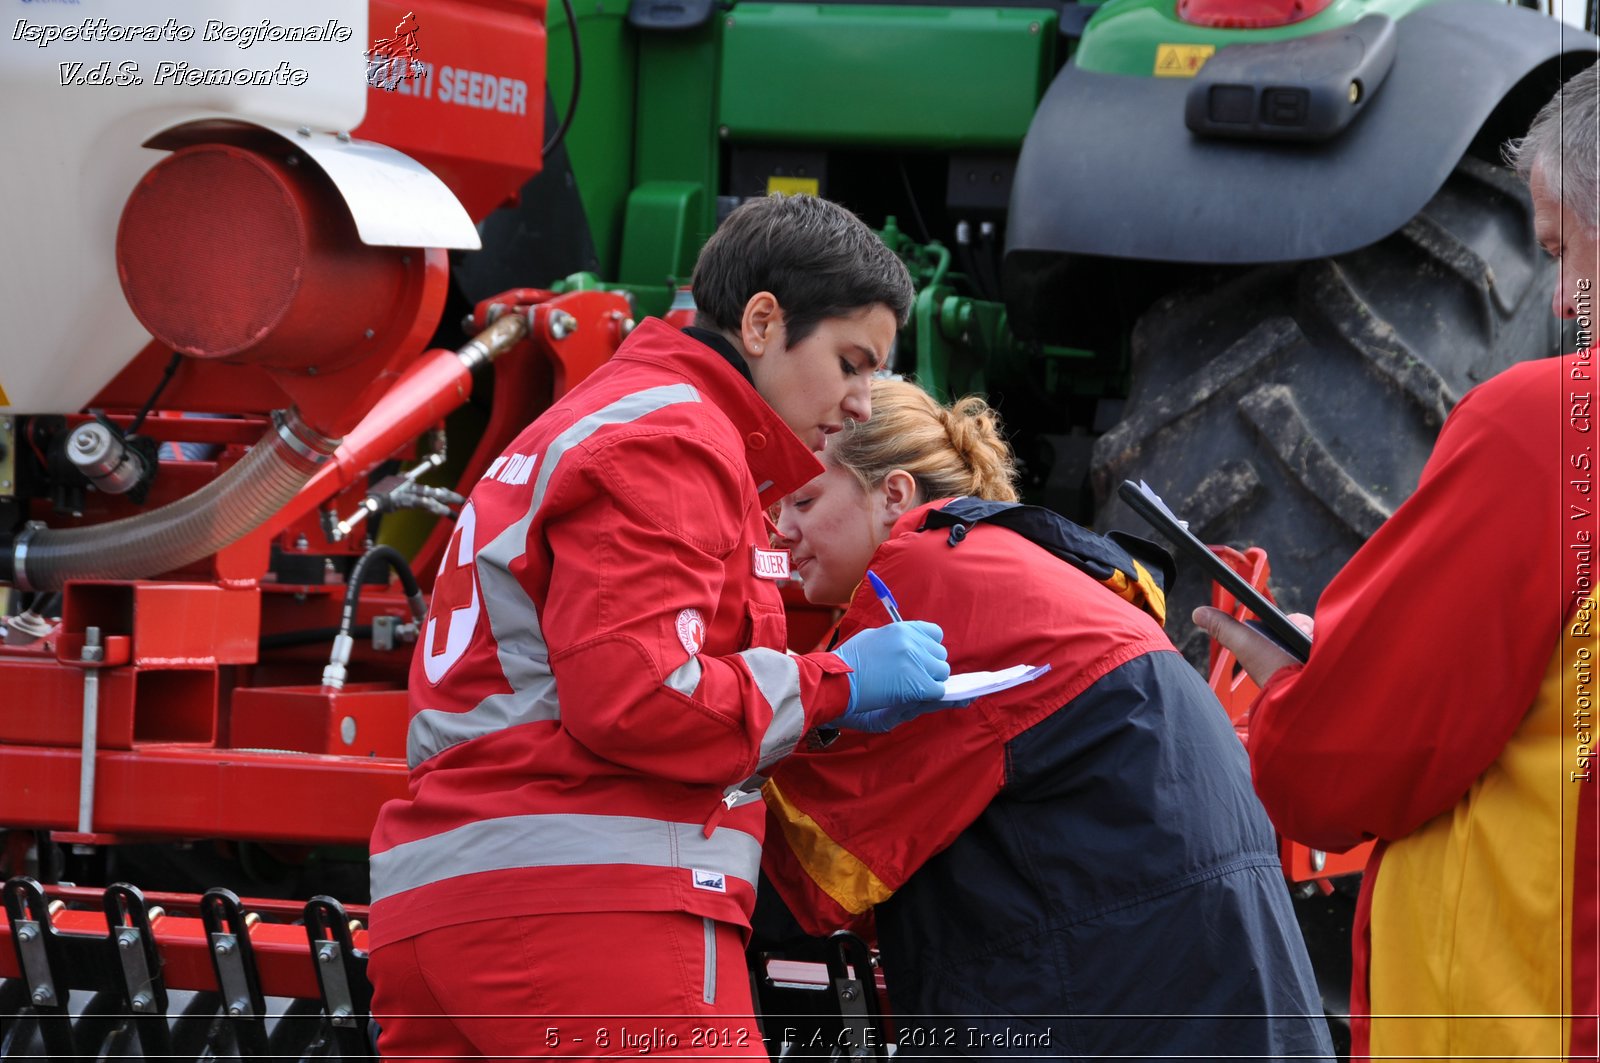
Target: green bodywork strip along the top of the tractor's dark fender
x: 1127, y: 36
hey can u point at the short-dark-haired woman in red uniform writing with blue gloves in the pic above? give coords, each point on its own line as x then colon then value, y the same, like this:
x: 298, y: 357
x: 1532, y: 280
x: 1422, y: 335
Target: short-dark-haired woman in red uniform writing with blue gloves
x: 604, y: 673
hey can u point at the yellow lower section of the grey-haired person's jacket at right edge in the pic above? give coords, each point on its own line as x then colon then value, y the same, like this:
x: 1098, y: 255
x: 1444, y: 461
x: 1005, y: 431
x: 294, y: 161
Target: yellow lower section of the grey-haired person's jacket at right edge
x: 1471, y: 915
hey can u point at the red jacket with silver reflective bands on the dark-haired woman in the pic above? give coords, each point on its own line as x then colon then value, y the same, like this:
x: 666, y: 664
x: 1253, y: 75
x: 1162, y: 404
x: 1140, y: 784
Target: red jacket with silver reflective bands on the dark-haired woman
x: 602, y: 667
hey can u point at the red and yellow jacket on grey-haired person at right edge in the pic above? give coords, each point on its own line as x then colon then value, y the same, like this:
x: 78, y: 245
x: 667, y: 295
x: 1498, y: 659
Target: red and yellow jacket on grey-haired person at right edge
x: 1447, y: 712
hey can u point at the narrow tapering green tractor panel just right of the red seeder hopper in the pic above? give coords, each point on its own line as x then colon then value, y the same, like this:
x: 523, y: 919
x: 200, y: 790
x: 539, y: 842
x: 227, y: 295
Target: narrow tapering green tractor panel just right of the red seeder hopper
x: 601, y: 142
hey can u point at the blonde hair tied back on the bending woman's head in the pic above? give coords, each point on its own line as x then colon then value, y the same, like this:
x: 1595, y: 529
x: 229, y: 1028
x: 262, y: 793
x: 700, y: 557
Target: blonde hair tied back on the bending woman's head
x: 948, y: 451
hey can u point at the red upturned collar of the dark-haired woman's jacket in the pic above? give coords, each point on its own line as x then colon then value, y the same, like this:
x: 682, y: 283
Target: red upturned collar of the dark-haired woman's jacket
x: 780, y: 462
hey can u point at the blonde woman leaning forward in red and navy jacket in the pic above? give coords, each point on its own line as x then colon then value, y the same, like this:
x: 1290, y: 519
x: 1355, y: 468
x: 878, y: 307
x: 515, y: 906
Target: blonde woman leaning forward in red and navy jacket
x: 1076, y: 867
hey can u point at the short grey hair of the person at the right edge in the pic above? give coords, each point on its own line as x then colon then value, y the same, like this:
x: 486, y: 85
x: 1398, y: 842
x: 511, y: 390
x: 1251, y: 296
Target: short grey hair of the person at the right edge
x: 1564, y: 142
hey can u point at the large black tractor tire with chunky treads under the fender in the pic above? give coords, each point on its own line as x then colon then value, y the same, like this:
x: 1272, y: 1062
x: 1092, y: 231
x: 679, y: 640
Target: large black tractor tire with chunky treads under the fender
x: 1294, y: 407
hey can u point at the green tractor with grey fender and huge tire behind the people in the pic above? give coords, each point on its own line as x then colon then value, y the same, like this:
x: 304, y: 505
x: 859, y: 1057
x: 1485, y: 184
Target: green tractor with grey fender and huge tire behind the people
x: 1247, y: 251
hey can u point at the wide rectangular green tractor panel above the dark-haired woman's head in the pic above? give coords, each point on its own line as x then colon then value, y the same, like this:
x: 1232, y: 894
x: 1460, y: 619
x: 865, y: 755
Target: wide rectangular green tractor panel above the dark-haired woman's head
x: 884, y: 76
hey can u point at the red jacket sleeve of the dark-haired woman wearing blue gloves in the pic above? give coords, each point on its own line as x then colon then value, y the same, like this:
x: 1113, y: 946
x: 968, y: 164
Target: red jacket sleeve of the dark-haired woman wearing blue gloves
x: 650, y: 529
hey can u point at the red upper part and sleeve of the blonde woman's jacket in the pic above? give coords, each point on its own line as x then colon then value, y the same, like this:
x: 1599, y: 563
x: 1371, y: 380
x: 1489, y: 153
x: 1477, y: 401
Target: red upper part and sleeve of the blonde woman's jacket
x: 862, y: 817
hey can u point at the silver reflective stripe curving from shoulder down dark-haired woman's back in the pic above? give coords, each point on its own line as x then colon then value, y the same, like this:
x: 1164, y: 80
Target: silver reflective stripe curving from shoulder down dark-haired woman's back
x: 514, y: 622
